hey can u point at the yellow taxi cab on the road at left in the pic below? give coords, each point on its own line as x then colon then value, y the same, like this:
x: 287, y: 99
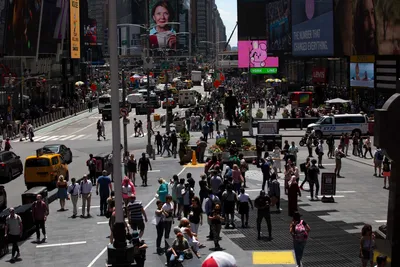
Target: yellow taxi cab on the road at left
x: 44, y: 169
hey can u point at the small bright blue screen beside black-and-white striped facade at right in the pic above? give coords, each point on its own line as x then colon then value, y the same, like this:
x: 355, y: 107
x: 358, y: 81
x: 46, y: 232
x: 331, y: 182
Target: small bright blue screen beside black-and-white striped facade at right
x: 362, y: 75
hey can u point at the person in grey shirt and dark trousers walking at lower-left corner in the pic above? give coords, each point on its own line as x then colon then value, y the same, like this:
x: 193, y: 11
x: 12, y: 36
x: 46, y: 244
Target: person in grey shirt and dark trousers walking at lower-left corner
x: 13, y: 232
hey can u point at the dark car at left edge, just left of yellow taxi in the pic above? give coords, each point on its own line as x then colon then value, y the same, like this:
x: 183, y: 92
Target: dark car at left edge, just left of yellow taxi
x: 10, y: 166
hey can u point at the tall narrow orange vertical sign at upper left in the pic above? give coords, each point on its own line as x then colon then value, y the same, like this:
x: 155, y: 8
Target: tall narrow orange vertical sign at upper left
x: 75, y: 29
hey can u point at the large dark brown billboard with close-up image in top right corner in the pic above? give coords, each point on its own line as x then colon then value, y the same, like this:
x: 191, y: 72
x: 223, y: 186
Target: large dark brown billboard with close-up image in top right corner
x: 368, y: 27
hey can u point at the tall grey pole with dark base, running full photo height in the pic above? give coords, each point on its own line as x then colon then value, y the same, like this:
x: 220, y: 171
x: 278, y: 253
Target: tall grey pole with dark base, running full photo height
x: 119, y: 246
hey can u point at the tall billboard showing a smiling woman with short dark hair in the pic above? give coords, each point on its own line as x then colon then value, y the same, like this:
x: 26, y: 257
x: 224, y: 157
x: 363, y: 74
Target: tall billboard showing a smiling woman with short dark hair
x: 162, y: 16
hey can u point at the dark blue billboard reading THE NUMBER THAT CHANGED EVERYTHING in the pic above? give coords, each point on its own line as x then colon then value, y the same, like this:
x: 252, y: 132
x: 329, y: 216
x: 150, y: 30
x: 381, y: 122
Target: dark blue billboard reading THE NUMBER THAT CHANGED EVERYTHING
x: 312, y: 28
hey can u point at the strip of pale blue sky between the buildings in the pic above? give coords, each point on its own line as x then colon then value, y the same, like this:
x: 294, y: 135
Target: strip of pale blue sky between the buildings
x: 228, y: 11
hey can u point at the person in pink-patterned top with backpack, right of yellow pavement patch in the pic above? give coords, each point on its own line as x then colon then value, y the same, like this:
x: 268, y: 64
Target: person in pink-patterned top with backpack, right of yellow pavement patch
x: 299, y: 230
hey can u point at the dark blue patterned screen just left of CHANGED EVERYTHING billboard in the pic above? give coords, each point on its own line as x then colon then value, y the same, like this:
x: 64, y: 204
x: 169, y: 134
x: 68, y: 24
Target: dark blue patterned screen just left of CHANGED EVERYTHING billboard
x: 278, y: 26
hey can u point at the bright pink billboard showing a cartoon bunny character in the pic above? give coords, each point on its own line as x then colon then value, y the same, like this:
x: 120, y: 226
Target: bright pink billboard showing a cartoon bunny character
x: 254, y: 54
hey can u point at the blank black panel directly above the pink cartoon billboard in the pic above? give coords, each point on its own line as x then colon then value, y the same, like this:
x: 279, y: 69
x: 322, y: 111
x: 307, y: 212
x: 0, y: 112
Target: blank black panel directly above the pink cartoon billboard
x: 251, y: 19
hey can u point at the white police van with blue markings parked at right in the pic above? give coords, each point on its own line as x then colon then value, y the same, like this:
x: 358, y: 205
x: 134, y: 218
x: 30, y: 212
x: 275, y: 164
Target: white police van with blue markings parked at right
x: 339, y: 124
